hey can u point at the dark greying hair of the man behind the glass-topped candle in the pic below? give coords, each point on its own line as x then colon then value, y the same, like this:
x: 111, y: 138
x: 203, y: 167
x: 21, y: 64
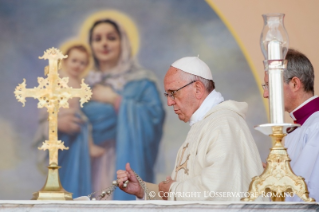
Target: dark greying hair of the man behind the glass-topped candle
x: 299, y: 66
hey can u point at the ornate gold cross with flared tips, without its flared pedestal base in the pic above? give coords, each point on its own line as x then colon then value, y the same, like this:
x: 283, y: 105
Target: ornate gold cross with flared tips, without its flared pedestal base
x: 53, y: 93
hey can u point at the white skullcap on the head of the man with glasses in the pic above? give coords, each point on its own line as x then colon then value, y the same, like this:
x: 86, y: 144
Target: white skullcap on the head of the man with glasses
x: 195, y: 66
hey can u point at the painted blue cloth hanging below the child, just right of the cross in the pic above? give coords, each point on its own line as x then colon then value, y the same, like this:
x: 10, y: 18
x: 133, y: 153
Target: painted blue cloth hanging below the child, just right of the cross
x: 75, y: 171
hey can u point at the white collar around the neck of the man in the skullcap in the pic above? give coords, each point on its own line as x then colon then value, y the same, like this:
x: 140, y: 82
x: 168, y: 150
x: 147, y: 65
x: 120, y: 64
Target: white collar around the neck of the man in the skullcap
x: 213, y: 99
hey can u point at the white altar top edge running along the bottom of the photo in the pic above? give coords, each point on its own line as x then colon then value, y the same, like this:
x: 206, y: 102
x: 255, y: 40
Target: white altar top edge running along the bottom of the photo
x: 96, y: 206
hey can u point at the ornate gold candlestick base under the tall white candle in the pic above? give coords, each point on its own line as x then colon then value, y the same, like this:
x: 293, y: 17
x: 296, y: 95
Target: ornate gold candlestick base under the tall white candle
x: 278, y: 177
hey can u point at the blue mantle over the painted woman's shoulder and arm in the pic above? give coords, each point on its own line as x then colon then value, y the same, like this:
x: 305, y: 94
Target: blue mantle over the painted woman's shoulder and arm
x: 137, y: 128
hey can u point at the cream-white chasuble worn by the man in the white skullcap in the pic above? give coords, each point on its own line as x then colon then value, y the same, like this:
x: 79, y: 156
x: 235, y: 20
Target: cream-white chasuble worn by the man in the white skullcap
x: 219, y: 157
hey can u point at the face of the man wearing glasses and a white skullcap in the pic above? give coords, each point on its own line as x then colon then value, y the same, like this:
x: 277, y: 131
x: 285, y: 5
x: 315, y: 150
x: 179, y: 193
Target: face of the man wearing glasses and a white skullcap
x: 184, y: 102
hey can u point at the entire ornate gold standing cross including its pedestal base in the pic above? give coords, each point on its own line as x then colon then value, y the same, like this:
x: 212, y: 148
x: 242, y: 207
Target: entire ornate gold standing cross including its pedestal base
x: 53, y: 93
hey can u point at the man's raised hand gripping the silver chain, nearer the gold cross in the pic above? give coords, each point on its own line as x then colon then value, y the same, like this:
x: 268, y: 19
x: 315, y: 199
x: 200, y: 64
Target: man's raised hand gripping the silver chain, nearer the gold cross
x: 133, y: 187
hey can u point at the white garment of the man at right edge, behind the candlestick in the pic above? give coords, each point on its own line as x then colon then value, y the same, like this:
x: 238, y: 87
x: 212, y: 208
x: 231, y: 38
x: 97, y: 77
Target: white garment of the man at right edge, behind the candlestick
x: 303, y: 149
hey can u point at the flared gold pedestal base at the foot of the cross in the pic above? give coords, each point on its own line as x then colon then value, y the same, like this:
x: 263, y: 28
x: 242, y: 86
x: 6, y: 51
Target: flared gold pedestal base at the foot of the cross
x: 52, y: 190
